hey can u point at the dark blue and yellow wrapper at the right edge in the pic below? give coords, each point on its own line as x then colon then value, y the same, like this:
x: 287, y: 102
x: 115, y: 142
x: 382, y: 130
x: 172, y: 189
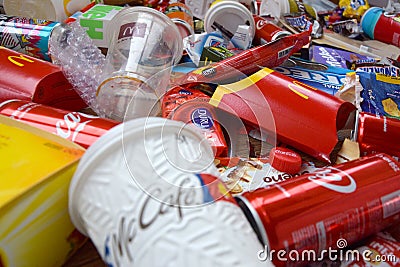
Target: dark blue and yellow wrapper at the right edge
x: 380, y: 94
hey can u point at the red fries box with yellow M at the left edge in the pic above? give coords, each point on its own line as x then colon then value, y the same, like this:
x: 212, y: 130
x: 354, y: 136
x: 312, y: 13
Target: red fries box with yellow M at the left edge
x: 35, y: 80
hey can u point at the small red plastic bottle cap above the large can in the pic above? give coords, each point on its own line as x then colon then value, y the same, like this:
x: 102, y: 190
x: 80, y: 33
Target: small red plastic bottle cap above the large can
x: 285, y: 160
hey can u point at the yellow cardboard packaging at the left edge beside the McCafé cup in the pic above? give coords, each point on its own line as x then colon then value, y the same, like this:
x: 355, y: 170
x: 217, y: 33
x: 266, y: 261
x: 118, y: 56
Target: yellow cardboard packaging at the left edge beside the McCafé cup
x: 36, y: 168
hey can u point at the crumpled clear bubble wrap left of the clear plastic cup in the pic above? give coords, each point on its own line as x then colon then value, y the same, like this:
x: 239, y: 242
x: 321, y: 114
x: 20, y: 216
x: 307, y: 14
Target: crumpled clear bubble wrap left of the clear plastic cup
x: 81, y: 61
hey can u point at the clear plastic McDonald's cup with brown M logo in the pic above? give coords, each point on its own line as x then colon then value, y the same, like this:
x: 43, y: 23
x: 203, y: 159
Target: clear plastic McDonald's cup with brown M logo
x: 143, y: 43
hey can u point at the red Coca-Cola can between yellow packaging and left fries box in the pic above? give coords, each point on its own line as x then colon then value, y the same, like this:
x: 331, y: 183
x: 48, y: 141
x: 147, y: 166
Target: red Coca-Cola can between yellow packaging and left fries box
x: 81, y: 128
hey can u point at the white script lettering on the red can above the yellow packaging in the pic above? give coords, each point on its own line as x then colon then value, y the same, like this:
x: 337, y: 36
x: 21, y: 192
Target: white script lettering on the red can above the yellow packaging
x: 72, y: 124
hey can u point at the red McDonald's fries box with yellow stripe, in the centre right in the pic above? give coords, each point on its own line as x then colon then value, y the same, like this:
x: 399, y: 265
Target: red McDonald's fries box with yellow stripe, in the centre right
x: 294, y: 105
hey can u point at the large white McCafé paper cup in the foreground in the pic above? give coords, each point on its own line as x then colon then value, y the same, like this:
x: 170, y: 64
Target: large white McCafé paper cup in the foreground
x: 138, y: 195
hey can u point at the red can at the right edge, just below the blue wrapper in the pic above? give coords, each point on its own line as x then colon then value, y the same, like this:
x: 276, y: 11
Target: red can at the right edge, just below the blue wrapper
x: 376, y: 134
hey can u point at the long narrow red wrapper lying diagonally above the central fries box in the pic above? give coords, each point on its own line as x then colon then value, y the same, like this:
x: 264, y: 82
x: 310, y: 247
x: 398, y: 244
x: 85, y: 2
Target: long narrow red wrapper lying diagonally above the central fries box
x: 249, y: 61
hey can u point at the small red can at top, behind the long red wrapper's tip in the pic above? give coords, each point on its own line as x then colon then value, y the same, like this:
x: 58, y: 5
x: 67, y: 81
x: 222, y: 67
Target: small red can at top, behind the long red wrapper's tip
x: 267, y: 31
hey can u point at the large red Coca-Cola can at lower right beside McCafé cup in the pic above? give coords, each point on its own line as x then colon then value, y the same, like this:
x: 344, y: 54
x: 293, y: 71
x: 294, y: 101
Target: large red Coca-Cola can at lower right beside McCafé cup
x: 326, y: 210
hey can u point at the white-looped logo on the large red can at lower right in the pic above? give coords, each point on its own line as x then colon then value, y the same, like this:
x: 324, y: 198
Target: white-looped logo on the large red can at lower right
x: 334, y: 179
